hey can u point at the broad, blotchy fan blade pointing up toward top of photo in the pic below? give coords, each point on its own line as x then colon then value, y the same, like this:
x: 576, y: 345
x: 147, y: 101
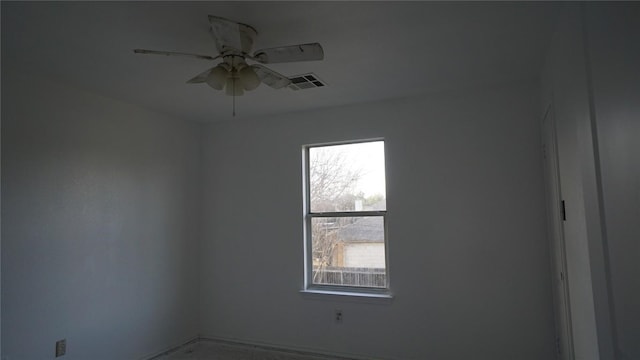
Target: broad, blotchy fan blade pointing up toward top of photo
x: 231, y: 35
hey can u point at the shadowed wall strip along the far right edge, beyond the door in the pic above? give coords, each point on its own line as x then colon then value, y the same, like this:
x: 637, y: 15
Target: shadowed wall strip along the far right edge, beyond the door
x: 614, y: 55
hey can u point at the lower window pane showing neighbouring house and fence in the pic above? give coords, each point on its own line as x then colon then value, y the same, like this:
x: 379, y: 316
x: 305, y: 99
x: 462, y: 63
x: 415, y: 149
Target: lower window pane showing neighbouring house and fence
x: 349, y: 251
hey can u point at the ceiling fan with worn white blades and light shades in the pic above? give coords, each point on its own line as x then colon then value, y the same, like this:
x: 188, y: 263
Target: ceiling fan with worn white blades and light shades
x: 234, y: 42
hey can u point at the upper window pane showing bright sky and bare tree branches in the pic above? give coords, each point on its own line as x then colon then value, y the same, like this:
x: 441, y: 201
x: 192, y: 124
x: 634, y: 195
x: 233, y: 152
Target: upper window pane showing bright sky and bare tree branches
x: 347, y: 177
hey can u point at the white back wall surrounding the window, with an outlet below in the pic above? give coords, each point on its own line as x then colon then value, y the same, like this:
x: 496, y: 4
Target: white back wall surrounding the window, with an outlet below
x: 468, y: 254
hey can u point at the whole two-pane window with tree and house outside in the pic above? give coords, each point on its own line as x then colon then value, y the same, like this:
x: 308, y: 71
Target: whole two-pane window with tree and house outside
x: 345, y: 213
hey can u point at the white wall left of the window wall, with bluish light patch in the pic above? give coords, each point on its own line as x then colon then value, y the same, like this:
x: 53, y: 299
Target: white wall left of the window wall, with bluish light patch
x: 100, y: 214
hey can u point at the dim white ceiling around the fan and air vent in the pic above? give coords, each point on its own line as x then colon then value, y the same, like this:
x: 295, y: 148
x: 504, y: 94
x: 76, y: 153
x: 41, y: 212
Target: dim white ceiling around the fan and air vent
x: 373, y: 50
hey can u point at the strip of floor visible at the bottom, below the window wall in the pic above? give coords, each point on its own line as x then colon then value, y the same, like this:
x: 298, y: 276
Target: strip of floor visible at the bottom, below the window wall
x: 210, y: 350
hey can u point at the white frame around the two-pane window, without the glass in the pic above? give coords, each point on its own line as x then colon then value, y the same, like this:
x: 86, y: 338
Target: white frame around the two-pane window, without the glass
x: 309, y: 286
